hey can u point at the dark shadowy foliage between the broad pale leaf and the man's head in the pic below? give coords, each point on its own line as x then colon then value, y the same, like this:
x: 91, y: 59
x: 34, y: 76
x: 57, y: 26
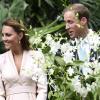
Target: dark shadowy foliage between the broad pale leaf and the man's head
x: 43, y: 12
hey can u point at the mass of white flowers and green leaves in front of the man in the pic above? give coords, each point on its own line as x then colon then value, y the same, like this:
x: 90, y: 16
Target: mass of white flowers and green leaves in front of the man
x: 70, y: 78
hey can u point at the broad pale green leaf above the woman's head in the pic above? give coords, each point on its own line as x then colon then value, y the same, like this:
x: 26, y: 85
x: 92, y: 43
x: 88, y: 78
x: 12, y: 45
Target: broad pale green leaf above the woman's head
x: 12, y: 8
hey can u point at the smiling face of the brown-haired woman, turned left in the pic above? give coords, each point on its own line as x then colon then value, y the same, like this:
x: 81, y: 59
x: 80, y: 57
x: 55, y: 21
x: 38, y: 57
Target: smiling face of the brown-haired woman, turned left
x: 10, y: 37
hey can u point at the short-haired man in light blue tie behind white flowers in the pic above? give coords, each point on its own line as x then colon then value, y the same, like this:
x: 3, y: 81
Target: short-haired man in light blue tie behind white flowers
x: 76, y: 18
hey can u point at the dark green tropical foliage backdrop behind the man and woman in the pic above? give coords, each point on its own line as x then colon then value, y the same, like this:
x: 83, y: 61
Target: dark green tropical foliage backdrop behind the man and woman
x: 45, y: 15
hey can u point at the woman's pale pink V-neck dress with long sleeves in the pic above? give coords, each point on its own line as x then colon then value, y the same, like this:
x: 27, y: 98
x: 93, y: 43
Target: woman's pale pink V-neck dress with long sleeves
x: 29, y: 84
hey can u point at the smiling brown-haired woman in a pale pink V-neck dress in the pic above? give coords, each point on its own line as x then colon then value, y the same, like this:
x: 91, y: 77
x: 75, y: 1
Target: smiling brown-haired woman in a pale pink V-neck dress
x: 21, y: 73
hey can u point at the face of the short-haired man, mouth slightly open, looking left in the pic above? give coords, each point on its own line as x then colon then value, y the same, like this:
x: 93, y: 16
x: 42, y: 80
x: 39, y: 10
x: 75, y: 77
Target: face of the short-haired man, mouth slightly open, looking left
x: 72, y: 24
